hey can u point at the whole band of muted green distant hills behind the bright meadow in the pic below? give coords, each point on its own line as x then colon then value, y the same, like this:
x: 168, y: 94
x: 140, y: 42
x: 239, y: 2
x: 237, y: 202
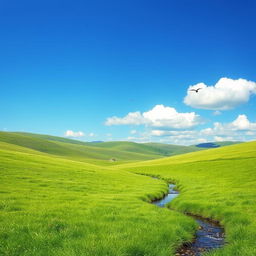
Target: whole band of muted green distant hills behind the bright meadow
x: 122, y: 151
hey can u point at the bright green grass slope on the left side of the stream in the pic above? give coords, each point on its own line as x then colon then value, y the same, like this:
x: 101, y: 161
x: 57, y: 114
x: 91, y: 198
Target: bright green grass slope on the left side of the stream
x: 53, y: 206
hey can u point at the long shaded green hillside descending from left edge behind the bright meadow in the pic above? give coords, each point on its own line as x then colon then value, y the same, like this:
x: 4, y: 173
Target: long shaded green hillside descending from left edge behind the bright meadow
x: 79, y: 151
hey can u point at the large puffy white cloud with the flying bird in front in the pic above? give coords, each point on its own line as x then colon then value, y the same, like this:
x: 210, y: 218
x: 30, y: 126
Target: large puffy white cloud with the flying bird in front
x: 225, y: 94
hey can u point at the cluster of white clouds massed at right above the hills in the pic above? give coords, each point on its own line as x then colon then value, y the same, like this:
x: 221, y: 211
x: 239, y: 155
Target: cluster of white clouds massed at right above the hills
x: 166, y: 124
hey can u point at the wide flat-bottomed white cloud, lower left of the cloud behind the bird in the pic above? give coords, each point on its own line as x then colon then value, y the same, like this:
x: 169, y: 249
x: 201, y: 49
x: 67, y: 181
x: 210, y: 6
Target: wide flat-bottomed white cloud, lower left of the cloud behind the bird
x: 160, y: 116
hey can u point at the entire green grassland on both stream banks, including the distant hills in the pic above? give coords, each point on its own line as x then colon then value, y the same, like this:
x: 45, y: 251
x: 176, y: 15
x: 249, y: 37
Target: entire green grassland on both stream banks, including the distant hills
x: 64, y: 197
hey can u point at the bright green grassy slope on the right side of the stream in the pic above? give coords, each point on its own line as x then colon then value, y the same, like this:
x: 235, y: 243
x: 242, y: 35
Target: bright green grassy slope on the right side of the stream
x: 217, y: 183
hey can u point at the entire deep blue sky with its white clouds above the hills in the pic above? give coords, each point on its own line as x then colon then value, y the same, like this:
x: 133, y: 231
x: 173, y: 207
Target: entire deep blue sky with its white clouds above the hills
x: 74, y: 65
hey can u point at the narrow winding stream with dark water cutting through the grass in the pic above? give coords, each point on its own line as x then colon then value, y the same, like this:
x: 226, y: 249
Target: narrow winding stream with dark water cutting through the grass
x: 210, y: 234
